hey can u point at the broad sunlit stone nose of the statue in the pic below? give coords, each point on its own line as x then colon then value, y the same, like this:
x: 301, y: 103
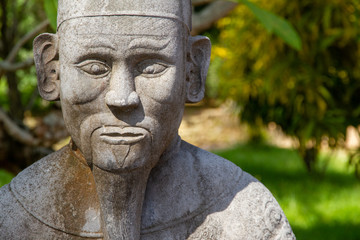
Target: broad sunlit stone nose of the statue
x: 122, y: 92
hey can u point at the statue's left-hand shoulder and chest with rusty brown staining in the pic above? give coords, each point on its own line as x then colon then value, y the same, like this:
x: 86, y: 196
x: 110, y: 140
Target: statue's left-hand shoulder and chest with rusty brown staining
x: 51, y: 193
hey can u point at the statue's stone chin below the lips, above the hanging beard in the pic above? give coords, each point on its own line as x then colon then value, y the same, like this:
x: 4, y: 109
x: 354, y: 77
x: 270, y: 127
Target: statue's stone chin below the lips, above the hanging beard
x: 120, y: 157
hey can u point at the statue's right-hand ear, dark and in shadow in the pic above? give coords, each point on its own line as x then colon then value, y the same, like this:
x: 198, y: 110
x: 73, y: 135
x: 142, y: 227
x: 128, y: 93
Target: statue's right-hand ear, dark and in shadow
x: 198, y: 59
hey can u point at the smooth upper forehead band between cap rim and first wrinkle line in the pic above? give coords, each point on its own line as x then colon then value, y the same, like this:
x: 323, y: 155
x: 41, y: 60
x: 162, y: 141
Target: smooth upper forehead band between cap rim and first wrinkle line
x: 124, y: 26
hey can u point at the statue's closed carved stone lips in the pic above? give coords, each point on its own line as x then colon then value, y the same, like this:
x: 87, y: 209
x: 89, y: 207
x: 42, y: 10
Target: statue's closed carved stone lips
x: 118, y: 135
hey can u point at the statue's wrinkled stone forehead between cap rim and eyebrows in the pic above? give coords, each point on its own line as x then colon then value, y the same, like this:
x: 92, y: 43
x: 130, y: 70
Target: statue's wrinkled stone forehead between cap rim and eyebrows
x: 93, y: 33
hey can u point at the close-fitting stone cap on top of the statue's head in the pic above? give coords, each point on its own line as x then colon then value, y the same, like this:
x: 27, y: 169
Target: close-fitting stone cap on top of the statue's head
x: 179, y: 10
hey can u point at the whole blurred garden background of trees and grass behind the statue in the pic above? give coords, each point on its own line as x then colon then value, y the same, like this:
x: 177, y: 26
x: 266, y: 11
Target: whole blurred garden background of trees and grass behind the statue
x: 282, y: 101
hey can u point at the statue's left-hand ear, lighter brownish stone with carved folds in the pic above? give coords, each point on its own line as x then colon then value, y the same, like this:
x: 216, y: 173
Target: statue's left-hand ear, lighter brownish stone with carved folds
x: 47, y: 66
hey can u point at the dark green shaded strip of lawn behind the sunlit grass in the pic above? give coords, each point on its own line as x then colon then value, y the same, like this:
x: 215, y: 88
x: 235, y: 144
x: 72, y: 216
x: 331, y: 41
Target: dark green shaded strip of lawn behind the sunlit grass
x: 274, y: 165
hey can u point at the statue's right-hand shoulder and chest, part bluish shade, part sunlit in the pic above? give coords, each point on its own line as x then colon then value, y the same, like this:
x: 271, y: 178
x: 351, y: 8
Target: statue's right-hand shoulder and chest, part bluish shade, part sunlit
x: 198, y: 188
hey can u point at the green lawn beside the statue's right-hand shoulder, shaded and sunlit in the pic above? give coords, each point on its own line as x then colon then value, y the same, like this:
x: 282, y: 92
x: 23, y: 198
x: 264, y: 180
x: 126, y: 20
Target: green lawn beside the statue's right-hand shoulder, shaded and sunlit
x: 318, y: 206
